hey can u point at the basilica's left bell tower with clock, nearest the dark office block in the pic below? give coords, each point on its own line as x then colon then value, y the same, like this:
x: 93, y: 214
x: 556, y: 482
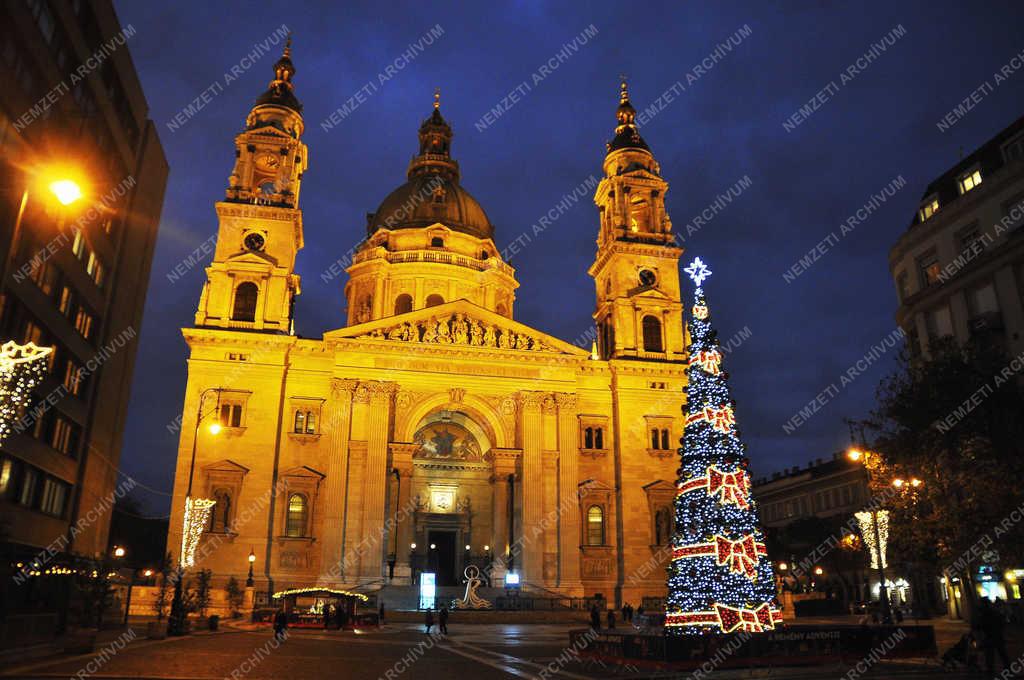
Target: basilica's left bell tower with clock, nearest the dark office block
x: 251, y: 283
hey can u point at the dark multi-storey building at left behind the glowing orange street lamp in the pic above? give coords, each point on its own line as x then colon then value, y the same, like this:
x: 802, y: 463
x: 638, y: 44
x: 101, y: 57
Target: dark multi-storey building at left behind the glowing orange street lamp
x: 74, y: 277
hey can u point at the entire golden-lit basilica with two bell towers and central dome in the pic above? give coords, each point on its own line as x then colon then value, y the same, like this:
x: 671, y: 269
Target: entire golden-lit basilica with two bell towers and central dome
x: 433, y: 431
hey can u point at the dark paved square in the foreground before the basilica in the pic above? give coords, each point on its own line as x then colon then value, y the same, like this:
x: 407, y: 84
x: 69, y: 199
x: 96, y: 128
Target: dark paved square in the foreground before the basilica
x: 401, y: 651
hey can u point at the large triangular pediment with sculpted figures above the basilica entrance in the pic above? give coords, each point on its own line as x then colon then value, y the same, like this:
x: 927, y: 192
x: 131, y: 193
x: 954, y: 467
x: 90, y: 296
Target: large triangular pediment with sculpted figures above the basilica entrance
x: 458, y: 324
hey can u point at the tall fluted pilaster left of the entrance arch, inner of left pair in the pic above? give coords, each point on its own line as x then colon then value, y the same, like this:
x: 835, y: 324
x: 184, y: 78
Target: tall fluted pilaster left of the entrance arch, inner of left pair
x: 373, y: 544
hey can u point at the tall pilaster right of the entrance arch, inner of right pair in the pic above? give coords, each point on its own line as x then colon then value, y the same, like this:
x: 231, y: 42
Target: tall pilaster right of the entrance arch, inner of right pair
x: 531, y: 549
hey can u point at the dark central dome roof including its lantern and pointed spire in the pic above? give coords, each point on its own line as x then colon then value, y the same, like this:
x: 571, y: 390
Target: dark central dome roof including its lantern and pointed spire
x: 433, y: 194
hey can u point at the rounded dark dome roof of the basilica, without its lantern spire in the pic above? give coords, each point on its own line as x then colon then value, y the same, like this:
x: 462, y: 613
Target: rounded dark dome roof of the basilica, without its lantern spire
x: 430, y: 199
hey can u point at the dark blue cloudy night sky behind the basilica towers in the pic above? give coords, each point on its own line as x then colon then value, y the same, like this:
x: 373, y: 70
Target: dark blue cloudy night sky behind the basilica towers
x: 723, y: 124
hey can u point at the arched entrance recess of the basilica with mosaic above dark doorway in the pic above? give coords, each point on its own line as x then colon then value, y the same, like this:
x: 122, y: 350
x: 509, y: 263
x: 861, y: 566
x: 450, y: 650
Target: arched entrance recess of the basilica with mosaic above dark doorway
x: 452, y: 487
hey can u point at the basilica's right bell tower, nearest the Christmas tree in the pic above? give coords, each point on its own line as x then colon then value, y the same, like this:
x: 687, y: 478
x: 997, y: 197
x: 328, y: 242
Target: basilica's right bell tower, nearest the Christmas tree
x: 639, y: 313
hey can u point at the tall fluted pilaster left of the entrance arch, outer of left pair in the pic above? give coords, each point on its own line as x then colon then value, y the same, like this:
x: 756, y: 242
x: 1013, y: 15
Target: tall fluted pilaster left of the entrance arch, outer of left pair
x: 339, y: 415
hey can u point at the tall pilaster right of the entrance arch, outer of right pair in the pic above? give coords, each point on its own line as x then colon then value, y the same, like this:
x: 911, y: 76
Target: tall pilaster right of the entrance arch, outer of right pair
x: 569, y: 481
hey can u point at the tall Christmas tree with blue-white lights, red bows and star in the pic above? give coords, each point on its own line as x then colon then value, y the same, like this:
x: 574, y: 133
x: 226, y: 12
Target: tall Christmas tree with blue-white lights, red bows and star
x: 720, y: 579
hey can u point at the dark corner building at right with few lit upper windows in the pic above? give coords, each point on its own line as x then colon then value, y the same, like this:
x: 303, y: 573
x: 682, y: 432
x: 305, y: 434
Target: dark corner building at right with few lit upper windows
x: 959, y: 268
